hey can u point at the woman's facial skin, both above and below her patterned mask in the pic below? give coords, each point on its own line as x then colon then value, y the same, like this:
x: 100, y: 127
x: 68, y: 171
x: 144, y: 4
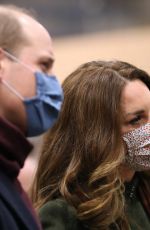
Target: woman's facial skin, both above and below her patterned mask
x: 135, y: 103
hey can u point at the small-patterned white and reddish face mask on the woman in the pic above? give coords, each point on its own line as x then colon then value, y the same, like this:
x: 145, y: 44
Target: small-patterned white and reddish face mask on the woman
x: 138, y: 148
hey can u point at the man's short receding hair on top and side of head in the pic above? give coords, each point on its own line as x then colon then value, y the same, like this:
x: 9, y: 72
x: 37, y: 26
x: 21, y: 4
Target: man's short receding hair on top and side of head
x: 12, y: 36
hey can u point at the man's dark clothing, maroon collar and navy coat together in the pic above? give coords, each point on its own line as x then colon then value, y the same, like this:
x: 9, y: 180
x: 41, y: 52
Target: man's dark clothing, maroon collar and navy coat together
x: 16, y: 211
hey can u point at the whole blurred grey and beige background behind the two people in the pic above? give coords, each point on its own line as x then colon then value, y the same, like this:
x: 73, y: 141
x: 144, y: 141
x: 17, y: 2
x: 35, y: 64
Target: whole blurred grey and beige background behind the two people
x: 84, y: 30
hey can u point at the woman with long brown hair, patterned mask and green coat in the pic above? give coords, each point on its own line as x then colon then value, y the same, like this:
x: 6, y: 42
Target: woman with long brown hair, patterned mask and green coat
x: 88, y: 152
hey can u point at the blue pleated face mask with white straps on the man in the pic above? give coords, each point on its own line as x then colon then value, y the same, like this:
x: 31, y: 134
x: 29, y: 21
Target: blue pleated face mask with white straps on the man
x: 42, y: 110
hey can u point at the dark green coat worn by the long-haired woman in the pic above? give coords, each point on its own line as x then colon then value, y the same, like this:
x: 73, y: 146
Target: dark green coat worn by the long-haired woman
x: 58, y: 215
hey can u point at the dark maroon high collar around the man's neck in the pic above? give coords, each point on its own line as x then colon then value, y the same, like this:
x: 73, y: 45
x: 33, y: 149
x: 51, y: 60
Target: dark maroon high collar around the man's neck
x: 14, y: 148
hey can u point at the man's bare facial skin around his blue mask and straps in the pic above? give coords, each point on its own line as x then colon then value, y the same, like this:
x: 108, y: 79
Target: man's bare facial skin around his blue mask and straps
x: 38, y: 56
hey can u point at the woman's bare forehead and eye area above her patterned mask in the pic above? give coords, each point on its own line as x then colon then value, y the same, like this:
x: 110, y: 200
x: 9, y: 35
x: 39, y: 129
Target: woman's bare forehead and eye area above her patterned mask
x: 135, y: 103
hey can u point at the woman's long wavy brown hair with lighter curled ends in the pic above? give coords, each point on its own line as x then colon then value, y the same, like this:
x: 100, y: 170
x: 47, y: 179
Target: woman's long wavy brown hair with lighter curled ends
x: 82, y: 152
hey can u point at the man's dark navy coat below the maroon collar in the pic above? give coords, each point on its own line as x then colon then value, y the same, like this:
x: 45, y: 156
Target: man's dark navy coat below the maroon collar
x: 14, y: 214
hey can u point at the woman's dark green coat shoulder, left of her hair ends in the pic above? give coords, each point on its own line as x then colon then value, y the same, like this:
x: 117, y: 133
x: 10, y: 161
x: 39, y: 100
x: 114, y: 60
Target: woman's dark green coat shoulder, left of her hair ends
x: 59, y: 215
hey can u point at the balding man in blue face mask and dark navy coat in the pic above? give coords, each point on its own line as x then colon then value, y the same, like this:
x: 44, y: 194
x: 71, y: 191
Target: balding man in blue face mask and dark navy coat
x: 29, y: 104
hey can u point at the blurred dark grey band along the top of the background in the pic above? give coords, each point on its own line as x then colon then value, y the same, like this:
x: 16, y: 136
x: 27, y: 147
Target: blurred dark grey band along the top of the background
x: 65, y: 17
